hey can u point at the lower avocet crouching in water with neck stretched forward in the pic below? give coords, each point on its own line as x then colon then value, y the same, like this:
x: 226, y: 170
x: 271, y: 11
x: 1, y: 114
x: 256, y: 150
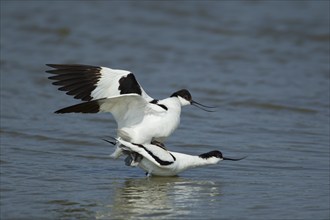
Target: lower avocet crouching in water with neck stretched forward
x: 156, y: 160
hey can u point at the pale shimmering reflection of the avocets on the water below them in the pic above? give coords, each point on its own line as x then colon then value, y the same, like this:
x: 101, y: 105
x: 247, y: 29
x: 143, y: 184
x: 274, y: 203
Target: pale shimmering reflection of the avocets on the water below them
x: 161, y: 197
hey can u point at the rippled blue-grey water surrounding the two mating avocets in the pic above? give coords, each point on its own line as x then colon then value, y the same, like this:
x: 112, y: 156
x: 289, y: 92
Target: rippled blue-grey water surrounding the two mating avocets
x: 264, y: 64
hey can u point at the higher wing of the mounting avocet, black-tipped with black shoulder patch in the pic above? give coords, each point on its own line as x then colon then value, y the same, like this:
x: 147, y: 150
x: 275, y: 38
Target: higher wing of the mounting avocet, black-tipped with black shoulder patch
x: 89, y: 83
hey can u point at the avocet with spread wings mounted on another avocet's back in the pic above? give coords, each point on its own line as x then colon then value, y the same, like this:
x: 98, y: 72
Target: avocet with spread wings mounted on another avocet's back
x: 140, y: 118
